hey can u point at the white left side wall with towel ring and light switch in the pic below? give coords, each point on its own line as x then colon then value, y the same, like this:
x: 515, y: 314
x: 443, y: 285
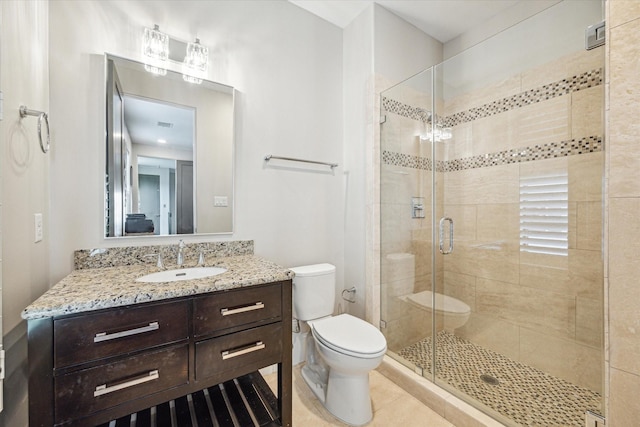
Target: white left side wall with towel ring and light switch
x: 24, y: 80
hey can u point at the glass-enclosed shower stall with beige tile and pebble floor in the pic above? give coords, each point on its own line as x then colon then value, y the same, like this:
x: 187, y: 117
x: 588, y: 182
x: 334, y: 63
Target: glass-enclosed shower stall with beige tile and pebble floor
x: 491, y: 230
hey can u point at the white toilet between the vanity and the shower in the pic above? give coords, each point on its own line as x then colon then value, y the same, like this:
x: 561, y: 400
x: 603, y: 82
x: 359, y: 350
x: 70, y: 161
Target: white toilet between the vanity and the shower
x: 348, y: 347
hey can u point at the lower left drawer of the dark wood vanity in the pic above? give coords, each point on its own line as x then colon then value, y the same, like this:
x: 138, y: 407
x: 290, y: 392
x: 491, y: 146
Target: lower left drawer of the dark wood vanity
x: 90, y: 390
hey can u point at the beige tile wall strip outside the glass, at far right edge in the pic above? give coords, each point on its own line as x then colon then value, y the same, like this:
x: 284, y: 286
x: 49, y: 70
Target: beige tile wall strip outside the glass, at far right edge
x: 623, y: 202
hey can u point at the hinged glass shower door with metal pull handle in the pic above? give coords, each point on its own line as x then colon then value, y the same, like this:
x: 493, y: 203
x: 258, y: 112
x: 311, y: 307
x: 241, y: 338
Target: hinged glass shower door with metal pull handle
x: 519, y: 160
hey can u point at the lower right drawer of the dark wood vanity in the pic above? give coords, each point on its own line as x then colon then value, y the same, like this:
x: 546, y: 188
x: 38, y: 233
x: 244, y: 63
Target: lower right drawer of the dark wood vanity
x: 252, y: 349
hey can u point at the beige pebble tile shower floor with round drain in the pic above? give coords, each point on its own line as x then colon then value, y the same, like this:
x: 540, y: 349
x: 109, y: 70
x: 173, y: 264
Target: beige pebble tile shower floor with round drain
x: 523, y: 394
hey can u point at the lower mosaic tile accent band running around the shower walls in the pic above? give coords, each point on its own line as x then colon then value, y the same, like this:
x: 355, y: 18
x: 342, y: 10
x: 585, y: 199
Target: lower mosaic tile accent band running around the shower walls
x: 591, y: 144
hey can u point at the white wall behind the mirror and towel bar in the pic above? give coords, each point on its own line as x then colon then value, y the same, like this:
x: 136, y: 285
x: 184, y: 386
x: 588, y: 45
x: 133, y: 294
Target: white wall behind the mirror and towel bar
x: 287, y: 67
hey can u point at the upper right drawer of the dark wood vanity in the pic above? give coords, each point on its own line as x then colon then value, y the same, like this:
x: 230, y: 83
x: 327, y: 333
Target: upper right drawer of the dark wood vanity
x: 234, y: 309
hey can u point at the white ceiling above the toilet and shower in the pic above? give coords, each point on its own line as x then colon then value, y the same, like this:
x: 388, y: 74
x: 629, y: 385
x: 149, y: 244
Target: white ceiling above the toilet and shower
x: 443, y: 20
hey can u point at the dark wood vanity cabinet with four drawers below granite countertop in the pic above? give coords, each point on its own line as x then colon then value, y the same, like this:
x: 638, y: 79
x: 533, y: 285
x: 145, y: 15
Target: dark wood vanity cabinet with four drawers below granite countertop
x: 90, y: 368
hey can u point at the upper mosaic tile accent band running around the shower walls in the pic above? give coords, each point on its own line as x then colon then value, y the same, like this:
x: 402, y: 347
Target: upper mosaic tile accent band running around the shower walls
x: 552, y: 90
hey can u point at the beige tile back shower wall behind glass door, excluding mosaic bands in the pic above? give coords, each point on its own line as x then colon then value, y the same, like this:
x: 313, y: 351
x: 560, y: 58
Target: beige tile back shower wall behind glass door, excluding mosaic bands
x: 542, y: 310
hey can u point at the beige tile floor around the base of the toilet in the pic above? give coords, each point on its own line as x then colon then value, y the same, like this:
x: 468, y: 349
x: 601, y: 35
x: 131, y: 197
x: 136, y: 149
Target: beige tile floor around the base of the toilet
x: 392, y: 406
